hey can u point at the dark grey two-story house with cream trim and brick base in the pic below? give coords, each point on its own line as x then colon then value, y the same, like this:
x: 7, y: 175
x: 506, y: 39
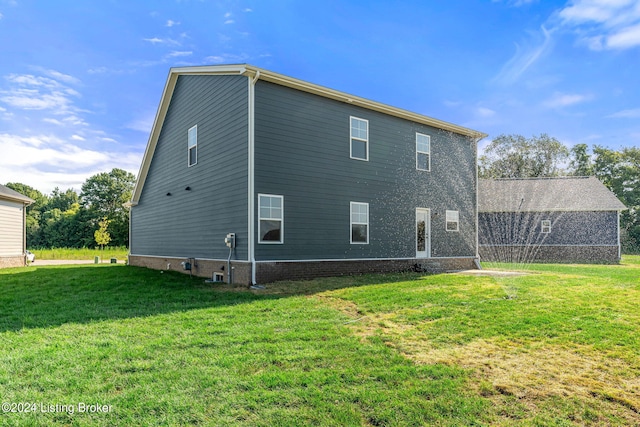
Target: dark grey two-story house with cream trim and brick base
x: 311, y: 182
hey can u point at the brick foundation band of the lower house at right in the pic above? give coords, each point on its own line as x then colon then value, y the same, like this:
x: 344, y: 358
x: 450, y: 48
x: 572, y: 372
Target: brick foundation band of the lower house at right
x: 550, y: 254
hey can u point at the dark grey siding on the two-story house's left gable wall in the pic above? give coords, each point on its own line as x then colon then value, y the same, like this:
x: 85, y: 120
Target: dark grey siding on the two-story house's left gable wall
x: 194, y: 223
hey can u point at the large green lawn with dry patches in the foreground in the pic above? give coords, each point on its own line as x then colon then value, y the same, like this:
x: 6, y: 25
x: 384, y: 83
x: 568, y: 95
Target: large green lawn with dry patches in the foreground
x: 559, y: 346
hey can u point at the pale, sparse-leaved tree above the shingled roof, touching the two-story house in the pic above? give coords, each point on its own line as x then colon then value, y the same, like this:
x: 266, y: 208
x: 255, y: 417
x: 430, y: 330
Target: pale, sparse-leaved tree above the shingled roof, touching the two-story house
x: 514, y: 156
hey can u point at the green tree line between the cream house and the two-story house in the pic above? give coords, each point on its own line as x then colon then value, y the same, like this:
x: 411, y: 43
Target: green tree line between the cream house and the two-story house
x: 66, y: 219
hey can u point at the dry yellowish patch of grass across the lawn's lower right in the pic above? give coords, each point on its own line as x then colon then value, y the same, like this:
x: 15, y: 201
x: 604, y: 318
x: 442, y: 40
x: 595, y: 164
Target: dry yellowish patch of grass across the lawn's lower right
x: 530, y: 372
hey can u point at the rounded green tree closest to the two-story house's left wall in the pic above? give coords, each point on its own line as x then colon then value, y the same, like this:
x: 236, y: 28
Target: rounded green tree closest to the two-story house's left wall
x: 104, y: 195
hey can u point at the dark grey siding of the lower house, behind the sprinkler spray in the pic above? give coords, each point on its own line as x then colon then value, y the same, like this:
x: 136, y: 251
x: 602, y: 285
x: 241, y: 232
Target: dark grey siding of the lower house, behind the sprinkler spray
x: 567, y: 228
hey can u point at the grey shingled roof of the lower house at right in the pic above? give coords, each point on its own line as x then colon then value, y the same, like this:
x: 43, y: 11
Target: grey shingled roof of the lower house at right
x: 546, y: 194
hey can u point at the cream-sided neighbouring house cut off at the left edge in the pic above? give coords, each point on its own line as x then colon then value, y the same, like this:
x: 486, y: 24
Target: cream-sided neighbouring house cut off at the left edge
x: 12, y: 227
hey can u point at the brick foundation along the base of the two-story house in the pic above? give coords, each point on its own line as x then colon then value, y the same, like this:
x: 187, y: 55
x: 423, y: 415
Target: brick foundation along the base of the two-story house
x: 267, y: 272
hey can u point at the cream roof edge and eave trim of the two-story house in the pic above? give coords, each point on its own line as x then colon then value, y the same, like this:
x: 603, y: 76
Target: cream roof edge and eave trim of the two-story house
x: 255, y: 74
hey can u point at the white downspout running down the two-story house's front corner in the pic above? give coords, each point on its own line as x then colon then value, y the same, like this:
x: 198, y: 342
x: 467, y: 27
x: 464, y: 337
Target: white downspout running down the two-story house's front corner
x: 251, y: 177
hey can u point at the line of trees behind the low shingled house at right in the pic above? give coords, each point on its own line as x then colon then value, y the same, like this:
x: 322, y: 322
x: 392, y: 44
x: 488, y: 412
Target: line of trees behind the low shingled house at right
x: 514, y: 156
